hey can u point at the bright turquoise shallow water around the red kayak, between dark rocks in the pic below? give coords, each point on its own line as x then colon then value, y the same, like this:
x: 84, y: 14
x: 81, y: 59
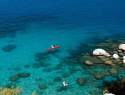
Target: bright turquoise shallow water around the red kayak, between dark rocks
x: 37, y: 37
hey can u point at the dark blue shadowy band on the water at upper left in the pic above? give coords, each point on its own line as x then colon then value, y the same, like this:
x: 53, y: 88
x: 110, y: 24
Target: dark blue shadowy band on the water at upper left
x: 10, y: 25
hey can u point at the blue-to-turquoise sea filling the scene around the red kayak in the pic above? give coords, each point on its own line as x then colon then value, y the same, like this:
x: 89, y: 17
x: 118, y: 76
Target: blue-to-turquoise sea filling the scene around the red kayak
x: 29, y: 28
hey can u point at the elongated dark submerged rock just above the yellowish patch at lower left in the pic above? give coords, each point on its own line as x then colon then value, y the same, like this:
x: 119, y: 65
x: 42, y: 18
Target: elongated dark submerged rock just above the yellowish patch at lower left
x: 18, y: 76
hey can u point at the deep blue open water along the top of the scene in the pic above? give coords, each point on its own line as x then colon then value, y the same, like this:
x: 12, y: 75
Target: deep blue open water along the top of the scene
x: 81, y: 11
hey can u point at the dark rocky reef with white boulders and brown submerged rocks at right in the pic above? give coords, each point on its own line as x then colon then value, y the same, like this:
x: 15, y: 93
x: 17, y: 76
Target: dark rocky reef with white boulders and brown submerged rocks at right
x: 99, y: 67
